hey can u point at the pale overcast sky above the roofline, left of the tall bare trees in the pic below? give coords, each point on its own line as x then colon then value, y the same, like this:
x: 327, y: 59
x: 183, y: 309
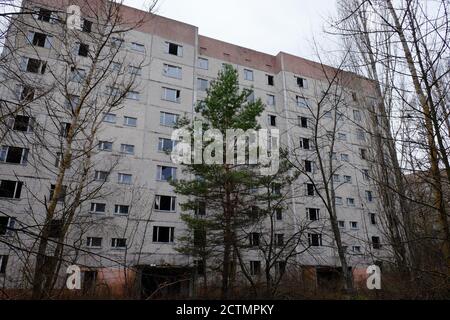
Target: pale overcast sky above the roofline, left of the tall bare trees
x: 265, y: 25
